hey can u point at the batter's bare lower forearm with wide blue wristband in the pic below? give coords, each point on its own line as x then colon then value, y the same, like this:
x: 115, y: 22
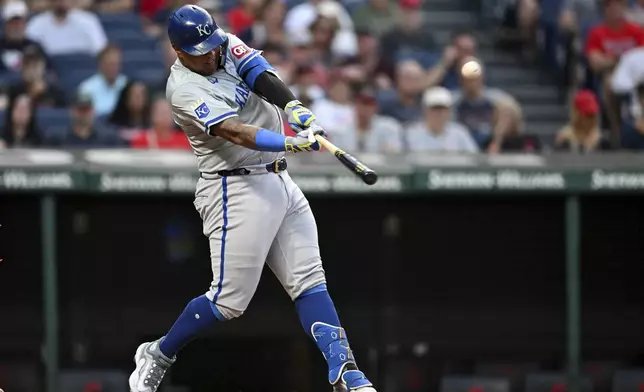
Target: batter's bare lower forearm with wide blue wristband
x: 249, y: 136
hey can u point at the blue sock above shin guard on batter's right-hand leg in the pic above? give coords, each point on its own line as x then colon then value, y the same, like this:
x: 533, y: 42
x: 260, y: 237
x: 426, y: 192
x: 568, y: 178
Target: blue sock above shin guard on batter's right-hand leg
x: 315, y: 305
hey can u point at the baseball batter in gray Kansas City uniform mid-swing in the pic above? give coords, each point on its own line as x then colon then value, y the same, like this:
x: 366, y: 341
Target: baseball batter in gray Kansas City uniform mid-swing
x: 228, y: 100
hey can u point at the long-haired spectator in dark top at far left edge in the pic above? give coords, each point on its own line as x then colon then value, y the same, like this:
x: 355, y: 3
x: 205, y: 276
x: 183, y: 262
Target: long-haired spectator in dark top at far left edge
x: 20, y: 128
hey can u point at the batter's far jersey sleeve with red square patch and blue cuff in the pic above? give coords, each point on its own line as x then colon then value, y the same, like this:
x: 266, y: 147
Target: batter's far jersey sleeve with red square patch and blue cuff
x: 249, y: 63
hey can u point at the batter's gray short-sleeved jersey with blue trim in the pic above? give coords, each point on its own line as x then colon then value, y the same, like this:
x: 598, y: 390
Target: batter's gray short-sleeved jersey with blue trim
x: 198, y: 102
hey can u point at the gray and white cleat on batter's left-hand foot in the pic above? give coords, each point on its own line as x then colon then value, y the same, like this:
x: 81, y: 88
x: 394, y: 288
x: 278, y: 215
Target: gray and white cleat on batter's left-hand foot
x: 151, y: 366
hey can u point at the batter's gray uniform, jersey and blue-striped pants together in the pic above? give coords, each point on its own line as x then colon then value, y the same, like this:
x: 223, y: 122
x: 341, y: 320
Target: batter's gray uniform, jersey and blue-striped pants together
x: 250, y: 220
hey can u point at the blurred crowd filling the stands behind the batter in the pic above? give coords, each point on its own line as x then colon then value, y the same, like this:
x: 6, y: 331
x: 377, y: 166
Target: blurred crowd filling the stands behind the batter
x: 91, y: 73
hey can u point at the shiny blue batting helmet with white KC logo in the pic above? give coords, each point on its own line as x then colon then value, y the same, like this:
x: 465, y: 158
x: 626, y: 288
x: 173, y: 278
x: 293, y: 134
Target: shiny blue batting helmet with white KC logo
x: 193, y: 30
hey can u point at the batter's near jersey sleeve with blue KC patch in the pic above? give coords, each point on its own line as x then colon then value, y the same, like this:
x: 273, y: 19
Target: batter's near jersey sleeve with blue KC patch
x: 194, y: 104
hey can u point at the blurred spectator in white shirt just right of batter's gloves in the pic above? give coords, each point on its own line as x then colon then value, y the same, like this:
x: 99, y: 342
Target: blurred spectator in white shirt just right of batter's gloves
x: 335, y: 111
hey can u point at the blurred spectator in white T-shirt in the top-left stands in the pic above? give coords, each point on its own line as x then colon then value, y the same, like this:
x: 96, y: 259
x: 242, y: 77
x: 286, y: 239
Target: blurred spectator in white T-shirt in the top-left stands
x: 65, y: 30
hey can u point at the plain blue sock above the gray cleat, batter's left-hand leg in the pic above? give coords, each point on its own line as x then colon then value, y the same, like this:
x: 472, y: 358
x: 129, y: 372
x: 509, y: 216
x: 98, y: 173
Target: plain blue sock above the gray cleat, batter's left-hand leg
x: 198, y: 316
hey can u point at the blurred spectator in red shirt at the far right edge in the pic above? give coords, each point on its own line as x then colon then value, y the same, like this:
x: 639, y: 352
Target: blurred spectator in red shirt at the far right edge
x: 605, y: 44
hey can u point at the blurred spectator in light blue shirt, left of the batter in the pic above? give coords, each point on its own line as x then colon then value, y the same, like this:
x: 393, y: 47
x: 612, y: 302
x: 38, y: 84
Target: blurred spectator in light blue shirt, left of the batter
x: 106, y: 85
